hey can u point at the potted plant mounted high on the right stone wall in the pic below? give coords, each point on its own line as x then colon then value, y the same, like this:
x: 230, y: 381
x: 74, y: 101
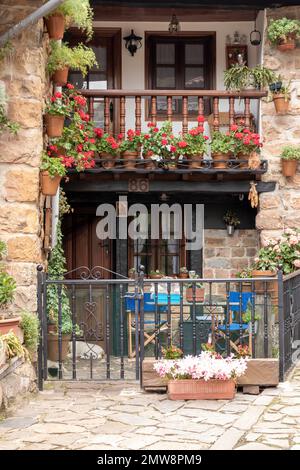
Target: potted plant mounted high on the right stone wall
x: 283, y: 33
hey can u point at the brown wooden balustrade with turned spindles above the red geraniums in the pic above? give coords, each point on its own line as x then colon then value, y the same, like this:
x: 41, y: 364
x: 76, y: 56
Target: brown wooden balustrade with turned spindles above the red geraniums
x: 120, y: 98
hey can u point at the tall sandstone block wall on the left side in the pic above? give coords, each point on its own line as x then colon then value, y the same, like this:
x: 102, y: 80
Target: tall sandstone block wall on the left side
x: 23, y: 74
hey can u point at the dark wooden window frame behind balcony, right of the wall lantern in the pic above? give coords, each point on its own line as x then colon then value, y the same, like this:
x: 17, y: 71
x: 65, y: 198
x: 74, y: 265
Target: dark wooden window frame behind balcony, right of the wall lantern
x: 151, y: 37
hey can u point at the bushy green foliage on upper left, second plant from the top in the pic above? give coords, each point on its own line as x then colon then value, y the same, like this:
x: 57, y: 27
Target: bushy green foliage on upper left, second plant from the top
x: 79, y: 58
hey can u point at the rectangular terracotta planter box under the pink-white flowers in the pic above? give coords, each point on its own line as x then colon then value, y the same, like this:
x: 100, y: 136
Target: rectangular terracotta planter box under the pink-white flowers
x: 191, y: 389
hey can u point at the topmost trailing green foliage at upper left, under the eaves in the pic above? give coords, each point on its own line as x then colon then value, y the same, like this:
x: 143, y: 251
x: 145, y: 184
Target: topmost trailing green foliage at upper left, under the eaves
x: 78, y: 13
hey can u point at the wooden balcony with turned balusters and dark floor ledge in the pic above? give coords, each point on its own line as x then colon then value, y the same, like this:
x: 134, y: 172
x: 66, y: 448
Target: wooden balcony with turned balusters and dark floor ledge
x: 122, y: 109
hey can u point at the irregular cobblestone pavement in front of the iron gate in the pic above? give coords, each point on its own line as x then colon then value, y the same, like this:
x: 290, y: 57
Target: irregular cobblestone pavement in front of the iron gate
x: 120, y: 416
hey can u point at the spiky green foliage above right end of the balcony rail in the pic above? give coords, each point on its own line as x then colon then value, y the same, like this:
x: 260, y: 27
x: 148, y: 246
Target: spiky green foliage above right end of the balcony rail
x: 239, y: 77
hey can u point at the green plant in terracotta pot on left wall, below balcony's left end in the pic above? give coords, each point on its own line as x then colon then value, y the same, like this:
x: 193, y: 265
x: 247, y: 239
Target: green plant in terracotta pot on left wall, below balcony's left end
x: 52, y: 171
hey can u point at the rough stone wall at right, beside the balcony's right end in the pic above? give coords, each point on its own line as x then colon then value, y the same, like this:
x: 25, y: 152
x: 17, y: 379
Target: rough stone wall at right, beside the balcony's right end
x: 280, y: 209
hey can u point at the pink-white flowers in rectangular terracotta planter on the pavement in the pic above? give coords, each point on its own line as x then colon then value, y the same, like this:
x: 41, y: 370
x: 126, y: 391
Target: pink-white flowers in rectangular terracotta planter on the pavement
x: 208, y: 376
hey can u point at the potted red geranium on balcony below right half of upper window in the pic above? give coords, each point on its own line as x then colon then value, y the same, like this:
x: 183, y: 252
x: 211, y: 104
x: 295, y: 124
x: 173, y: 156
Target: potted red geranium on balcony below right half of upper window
x: 193, y: 145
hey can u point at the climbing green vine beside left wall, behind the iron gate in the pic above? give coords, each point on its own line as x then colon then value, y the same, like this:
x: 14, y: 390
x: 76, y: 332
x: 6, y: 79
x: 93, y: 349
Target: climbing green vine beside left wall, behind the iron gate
x: 56, y: 270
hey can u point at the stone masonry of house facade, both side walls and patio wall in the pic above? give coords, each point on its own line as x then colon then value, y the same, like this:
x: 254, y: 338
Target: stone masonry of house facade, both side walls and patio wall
x: 22, y: 205
